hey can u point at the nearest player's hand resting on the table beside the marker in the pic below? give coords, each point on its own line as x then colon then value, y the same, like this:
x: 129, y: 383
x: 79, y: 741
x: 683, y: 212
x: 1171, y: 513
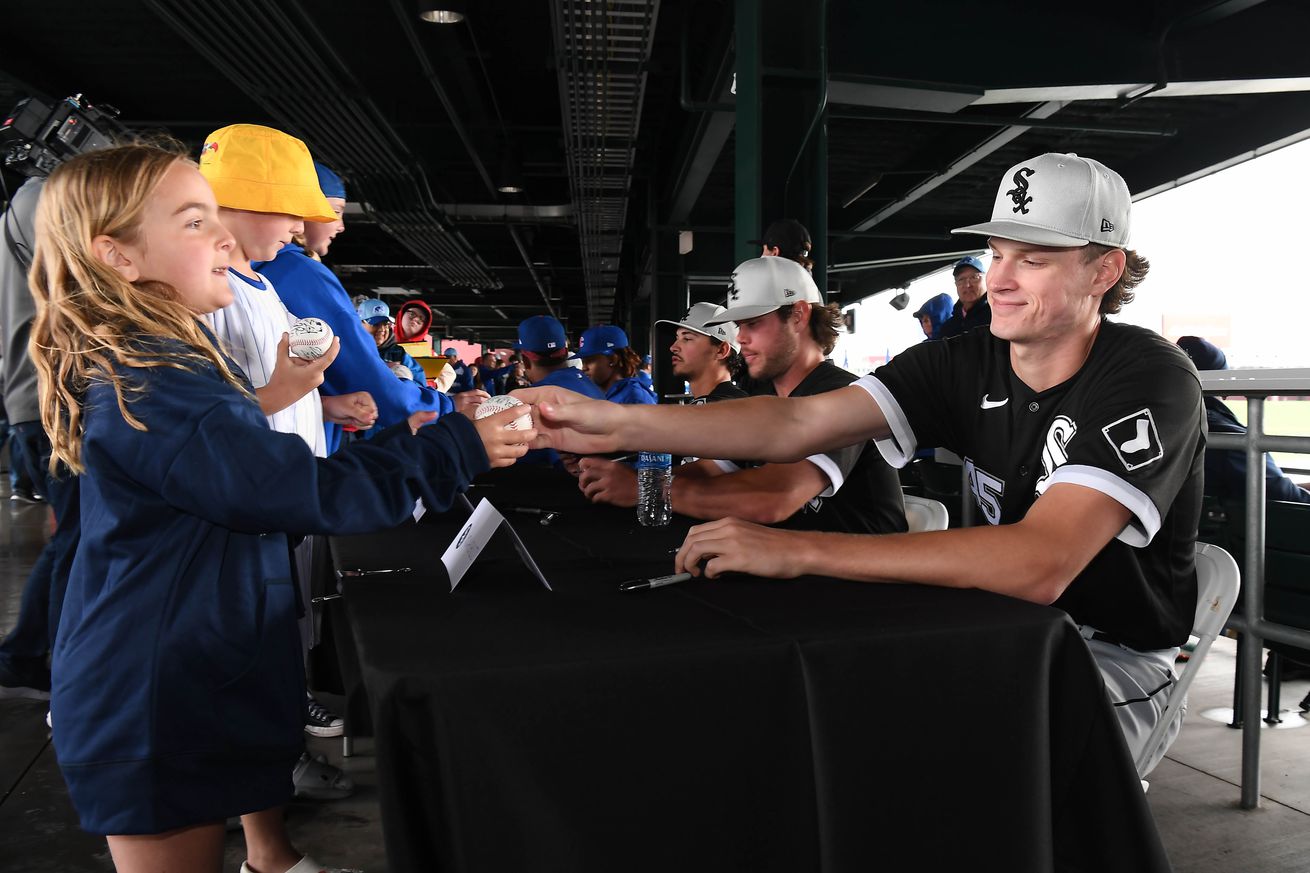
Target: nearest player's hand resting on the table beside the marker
x: 733, y: 546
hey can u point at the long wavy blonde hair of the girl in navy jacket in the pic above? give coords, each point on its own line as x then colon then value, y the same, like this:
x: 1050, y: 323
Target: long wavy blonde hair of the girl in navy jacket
x: 91, y: 322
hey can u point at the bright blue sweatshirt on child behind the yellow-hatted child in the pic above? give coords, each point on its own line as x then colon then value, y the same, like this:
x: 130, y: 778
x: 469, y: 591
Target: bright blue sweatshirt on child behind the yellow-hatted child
x: 309, y: 289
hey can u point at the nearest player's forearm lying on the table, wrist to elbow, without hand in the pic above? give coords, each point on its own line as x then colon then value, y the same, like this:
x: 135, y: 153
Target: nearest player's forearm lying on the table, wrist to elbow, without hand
x: 1005, y: 559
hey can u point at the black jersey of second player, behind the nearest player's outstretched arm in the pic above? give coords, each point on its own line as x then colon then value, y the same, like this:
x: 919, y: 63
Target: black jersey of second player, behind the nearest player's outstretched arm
x: 864, y: 496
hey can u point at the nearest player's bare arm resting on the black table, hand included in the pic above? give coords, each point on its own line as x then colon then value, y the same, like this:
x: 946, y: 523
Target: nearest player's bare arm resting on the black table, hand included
x: 1034, y: 560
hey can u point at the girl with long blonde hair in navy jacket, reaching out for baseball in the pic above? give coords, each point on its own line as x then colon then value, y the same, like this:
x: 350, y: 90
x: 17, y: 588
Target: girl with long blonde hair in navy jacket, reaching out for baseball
x: 178, y: 677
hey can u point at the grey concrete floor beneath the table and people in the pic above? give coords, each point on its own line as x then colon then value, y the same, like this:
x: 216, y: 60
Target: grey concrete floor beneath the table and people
x: 1194, y: 792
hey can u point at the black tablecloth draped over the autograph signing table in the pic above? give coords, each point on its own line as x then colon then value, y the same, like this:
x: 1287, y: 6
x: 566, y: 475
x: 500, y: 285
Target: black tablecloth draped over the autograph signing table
x: 732, y: 726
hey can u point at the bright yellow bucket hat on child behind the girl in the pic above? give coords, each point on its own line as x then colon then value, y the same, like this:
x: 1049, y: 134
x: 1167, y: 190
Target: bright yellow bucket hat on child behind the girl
x: 261, y: 170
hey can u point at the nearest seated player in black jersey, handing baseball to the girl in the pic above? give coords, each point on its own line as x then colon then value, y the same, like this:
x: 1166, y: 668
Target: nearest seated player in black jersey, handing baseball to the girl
x: 1084, y: 441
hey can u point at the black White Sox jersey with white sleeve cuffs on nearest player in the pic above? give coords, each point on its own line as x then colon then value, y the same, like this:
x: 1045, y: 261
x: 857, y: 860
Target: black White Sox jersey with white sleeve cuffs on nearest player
x: 1129, y: 424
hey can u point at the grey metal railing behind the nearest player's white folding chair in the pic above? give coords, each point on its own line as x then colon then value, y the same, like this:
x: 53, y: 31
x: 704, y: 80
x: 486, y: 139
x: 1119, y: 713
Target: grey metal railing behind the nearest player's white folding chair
x: 1257, y: 386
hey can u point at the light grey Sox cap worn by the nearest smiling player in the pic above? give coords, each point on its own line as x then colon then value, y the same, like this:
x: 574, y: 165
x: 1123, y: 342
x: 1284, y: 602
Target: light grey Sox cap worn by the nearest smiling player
x: 1060, y: 201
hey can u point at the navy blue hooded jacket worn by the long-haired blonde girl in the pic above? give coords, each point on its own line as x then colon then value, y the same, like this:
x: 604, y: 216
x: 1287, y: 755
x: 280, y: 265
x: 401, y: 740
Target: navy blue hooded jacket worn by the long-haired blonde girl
x: 179, y: 688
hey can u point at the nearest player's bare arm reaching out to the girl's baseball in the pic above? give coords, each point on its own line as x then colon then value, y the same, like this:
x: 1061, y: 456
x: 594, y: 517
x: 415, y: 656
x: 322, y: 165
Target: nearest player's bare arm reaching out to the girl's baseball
x: 770, y: 429
